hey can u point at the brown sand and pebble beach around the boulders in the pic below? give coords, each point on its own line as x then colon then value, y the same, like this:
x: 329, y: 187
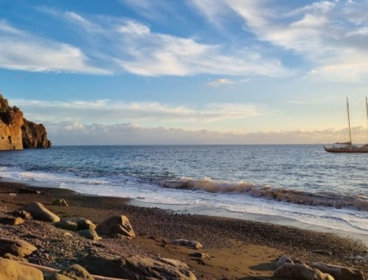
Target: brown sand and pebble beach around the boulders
x: 237, y: 249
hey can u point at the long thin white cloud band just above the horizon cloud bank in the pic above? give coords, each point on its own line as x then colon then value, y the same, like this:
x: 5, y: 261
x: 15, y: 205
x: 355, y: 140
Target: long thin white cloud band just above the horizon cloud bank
x: 106, y: 111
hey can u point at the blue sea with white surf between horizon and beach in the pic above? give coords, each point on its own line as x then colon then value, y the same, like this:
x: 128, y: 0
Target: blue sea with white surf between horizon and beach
x: 294, y: 185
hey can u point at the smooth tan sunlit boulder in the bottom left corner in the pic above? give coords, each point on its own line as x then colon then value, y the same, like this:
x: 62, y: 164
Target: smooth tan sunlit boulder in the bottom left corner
x: 12, y: 270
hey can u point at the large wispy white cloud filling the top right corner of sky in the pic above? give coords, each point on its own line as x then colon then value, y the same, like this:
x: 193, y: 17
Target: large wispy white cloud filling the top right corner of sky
x: 330, y: 35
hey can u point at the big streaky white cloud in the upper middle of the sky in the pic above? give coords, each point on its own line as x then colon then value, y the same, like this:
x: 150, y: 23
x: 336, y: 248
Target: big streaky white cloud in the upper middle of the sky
x: 135, y: 48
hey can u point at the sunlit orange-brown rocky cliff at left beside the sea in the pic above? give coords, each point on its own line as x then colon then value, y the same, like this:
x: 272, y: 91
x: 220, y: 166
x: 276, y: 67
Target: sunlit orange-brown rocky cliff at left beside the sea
x: 16, y: 132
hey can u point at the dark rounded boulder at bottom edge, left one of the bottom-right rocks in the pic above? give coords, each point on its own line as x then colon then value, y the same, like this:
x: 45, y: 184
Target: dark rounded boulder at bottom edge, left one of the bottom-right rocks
x: 300, y: 272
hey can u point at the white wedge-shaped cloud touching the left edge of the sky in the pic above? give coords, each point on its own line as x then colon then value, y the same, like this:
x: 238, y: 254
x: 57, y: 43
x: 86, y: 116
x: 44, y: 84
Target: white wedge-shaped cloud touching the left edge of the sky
x: 20, y: 50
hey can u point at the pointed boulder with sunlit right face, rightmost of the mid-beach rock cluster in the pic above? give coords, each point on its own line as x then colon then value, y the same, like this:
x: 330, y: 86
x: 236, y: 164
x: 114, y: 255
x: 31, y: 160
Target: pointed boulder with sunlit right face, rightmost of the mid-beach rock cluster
x: 115, y: 226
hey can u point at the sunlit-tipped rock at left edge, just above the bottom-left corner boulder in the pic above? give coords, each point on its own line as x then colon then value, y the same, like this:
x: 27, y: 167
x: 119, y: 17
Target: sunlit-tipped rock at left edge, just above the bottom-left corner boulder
x: 16, y: 247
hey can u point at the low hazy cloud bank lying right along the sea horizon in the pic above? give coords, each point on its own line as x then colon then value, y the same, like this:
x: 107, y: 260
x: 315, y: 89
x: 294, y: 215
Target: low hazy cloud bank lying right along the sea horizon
x: 74, y: 133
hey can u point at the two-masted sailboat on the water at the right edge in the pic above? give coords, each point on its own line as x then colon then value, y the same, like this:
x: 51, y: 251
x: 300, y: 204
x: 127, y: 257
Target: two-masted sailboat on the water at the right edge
x: 348, y: 147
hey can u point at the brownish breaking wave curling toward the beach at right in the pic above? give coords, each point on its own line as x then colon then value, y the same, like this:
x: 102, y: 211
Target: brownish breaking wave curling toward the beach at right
x: 327, y: 199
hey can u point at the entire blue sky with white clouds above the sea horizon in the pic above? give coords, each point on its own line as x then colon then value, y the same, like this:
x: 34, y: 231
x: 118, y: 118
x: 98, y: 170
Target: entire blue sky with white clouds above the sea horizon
x: 187, y: 72
